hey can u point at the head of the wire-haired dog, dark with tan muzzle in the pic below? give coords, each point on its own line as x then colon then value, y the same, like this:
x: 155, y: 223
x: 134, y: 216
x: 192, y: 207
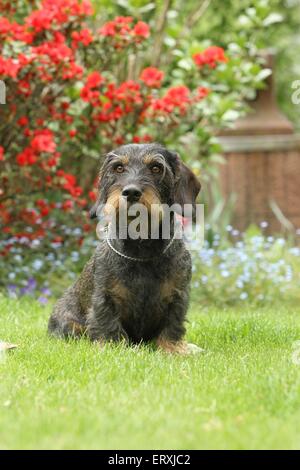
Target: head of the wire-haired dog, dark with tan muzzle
x: 147, y: 174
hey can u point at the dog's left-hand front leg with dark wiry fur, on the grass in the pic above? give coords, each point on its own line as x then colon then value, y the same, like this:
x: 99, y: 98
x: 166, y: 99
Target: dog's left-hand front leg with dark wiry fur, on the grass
x: 103, y: 321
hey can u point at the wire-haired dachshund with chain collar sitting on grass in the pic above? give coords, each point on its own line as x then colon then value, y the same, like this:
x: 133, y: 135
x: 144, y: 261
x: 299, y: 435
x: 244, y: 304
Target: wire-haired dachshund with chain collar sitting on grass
x: 134, y: 290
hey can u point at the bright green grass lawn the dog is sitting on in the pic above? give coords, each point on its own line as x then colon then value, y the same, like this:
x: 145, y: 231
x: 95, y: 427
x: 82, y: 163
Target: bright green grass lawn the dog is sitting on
x: 244, y: 392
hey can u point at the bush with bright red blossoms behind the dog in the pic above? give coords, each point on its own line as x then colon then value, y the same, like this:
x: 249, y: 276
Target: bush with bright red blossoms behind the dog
x: 71, y: 96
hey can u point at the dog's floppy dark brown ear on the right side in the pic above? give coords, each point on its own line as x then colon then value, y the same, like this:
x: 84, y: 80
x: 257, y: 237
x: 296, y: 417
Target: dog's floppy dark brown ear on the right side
x: 187, y: 185
